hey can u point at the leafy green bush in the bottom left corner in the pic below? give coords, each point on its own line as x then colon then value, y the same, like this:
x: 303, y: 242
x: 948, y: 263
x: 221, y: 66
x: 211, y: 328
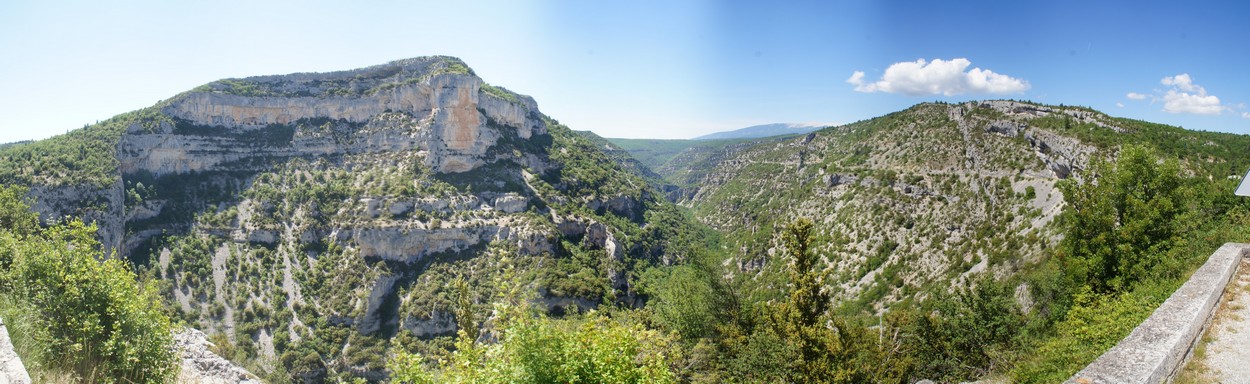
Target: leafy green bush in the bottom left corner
x: 102, y: 325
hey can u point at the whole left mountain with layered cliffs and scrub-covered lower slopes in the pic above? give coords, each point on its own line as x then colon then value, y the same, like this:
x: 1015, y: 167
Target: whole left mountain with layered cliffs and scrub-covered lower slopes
x: 307, y: 221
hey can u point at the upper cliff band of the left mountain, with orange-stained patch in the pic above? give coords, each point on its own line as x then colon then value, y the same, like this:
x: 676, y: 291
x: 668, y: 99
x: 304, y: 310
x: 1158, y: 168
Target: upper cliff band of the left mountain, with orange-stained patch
x: 431, y: 104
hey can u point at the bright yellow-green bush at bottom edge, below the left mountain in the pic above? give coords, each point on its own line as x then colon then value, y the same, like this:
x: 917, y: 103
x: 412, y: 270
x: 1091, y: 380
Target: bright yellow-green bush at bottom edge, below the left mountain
x: 533, y: 348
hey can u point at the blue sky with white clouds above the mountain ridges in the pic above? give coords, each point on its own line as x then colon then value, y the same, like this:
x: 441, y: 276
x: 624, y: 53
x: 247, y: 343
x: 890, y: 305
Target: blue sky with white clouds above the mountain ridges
x: 649, y: 69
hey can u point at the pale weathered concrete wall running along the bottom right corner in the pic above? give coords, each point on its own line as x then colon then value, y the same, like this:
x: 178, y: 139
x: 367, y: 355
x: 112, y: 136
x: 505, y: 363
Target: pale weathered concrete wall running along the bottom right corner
x: 1157, y: 350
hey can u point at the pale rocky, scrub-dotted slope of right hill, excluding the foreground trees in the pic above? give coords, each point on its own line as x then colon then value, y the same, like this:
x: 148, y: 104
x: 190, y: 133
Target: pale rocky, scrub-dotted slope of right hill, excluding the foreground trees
x: 919, y: 200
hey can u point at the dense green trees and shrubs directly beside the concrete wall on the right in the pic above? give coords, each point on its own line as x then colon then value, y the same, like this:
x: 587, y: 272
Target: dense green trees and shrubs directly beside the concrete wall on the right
x: 1134, y: 231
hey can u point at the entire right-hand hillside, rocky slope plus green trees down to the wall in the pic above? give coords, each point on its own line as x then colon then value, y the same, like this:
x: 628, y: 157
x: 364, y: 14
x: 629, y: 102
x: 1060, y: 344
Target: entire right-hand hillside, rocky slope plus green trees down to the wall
x: 1059, y: 230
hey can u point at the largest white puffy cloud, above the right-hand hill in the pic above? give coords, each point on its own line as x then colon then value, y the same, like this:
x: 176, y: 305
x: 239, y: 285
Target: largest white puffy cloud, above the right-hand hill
x: 938, y: 78
